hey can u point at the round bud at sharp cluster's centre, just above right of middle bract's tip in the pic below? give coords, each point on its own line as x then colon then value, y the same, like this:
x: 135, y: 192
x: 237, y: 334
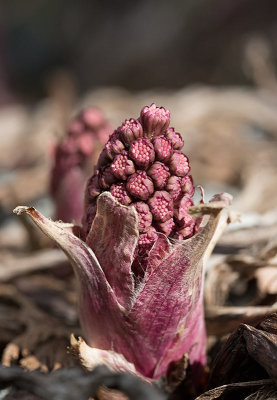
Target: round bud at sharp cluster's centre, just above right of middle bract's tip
x: 140, y: 185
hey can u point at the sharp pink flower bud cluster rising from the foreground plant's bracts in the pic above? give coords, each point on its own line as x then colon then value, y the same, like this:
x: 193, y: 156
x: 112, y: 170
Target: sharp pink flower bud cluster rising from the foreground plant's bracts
x: 142, y: 165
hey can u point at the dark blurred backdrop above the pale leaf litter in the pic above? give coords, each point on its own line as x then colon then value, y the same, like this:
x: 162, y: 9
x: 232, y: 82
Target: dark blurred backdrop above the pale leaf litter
x: 136, y: 45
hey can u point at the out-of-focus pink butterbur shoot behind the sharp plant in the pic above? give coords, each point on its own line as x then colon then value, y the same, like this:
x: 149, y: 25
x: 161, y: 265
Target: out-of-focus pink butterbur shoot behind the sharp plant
x: 73, y: 157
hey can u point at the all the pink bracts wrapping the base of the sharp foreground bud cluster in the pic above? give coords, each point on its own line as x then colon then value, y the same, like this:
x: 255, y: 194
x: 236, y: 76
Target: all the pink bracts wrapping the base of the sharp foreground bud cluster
x: 152, y: 323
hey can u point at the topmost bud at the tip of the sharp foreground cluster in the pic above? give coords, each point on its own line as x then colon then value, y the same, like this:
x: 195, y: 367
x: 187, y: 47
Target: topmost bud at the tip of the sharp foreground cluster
x: 155, y: 120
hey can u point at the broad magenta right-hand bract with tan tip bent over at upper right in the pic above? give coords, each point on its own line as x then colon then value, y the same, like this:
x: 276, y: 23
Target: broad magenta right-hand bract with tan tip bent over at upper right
x: 169, y: 308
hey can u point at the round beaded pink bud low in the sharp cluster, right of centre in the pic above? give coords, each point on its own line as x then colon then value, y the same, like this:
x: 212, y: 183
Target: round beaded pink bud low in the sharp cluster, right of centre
x: 161, y: 206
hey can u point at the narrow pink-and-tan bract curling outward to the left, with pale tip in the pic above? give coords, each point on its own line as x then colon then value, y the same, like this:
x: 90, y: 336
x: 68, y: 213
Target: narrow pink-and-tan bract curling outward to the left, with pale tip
x: 90, y: 276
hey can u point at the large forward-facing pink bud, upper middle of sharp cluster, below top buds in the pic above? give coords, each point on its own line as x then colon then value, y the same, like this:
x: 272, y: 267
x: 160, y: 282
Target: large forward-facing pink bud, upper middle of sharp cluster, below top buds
x: 142, y: 153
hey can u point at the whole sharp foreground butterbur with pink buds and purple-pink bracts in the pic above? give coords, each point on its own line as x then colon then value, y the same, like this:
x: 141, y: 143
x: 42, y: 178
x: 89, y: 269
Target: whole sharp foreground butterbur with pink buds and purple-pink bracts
x: 139, y: 259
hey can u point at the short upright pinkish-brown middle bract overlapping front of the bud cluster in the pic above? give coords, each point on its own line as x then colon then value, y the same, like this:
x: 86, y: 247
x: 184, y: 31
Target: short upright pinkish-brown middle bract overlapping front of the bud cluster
x: 113, y: 238
